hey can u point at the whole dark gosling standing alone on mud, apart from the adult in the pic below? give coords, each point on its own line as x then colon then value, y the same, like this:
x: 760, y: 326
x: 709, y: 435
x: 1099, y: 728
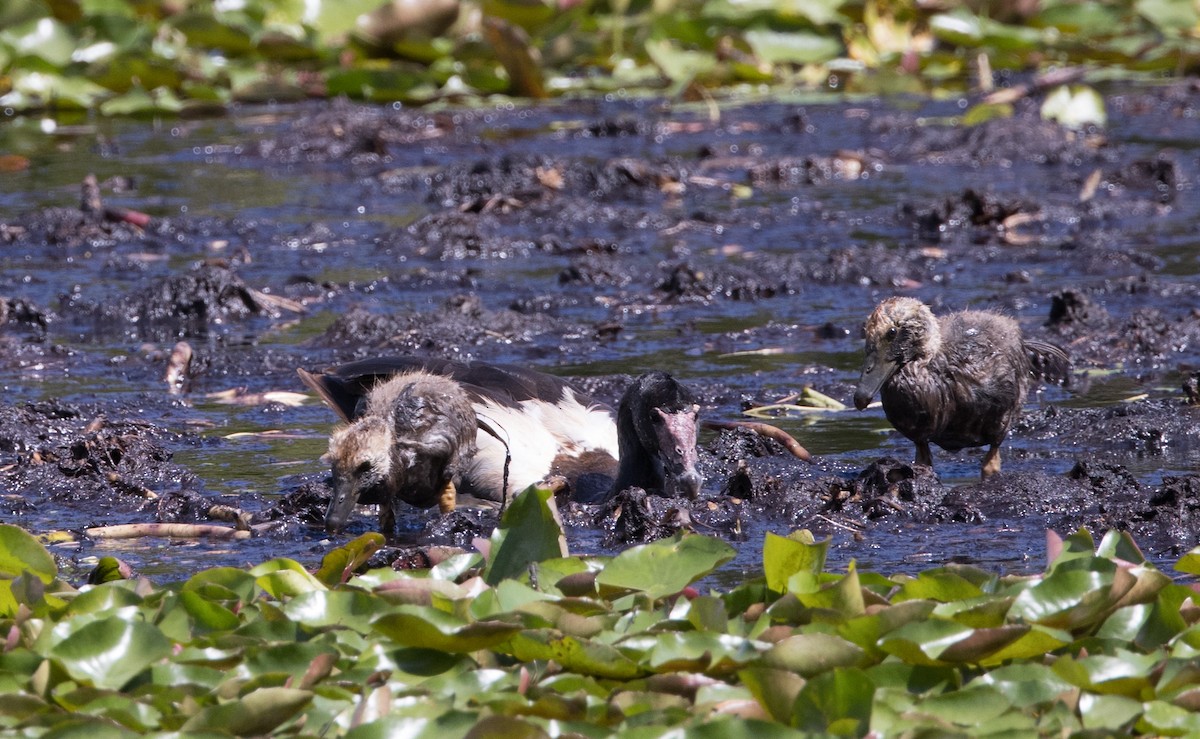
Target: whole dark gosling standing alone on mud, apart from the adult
x: 958, y: 381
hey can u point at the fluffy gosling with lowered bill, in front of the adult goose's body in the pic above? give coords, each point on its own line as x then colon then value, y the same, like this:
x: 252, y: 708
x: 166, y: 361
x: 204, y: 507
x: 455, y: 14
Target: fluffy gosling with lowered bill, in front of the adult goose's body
x: 406, y: 442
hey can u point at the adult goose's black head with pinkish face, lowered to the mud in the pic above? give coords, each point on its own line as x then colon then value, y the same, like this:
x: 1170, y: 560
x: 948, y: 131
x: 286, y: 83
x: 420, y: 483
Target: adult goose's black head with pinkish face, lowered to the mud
x: 657, y: 426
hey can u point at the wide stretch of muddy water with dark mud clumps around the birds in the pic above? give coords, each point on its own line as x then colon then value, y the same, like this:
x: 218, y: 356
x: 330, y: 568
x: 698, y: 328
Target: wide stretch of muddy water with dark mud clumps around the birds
x: 602, y: 239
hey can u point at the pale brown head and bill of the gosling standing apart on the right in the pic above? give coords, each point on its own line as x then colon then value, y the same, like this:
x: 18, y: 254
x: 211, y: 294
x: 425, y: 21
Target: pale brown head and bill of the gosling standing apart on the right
x: 901, y: 331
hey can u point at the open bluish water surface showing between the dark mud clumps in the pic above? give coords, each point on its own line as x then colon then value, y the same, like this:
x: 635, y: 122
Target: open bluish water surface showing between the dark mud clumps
x: 758, y: 350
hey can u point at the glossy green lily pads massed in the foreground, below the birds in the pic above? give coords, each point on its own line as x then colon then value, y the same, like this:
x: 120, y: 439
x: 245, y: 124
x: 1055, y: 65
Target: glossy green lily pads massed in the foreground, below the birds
x: 1102, y: 642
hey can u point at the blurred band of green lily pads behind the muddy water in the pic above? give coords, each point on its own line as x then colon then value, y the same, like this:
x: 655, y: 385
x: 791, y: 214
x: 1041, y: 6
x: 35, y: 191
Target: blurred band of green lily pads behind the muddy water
x: 165, y: 57
